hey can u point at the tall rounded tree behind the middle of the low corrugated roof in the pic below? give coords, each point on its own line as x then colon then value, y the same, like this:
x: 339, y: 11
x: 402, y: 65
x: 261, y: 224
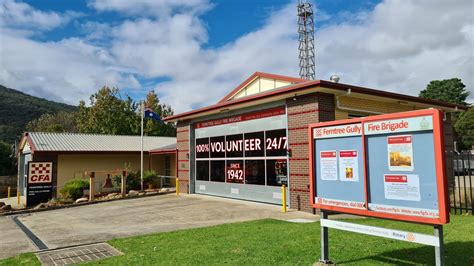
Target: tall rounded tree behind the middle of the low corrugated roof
x: 108, y: 114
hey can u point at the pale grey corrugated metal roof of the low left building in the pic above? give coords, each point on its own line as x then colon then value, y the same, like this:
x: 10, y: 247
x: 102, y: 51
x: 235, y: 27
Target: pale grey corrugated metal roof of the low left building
x: 72, y: 142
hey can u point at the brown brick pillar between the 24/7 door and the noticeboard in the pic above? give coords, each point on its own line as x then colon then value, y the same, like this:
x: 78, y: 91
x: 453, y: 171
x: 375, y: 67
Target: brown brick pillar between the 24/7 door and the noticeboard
x: 303, y: 110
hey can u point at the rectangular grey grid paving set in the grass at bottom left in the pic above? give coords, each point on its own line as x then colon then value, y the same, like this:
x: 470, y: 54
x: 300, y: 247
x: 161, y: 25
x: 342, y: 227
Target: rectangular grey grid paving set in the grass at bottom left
x: 76, y: 255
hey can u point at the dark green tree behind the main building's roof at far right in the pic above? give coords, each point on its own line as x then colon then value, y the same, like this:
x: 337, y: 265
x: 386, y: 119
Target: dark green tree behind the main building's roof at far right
x: 448, y: 90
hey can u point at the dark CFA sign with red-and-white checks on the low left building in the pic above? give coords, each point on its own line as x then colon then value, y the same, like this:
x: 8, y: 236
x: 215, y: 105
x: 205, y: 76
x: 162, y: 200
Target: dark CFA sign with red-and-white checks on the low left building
x: 40, y: 183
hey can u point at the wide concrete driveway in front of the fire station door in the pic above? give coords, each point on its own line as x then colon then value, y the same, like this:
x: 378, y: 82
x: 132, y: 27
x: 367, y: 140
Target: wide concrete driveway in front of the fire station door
x: 105, y: 221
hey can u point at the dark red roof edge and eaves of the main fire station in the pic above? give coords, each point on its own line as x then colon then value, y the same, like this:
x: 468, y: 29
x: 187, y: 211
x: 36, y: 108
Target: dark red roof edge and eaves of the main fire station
x: 308, y: 87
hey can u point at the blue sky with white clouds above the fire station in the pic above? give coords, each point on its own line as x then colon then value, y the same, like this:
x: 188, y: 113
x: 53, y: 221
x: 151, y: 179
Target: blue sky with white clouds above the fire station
x: 192, y: 52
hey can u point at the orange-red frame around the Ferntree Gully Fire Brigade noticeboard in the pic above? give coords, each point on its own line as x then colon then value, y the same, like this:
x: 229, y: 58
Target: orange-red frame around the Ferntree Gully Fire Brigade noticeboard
x: 439, y: 159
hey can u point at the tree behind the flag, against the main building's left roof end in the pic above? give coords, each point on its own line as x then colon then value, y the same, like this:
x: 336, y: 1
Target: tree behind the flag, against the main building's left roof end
x: 155, y: 128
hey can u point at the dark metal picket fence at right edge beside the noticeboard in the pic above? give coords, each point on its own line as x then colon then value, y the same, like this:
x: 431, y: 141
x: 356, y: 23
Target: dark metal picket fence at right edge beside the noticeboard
x: 462, y: 189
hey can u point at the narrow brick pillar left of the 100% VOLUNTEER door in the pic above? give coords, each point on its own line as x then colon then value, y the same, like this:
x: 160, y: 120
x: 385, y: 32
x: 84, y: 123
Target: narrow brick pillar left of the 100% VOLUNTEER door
x: 182, y: 137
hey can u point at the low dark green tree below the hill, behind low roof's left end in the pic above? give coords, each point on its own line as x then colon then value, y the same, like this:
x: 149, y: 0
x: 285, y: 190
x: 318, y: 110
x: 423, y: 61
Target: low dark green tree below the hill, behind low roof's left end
x: 58, y: 122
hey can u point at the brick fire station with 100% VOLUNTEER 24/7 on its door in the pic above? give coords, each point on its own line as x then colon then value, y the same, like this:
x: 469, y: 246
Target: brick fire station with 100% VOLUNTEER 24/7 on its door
x: 255, y: 139
